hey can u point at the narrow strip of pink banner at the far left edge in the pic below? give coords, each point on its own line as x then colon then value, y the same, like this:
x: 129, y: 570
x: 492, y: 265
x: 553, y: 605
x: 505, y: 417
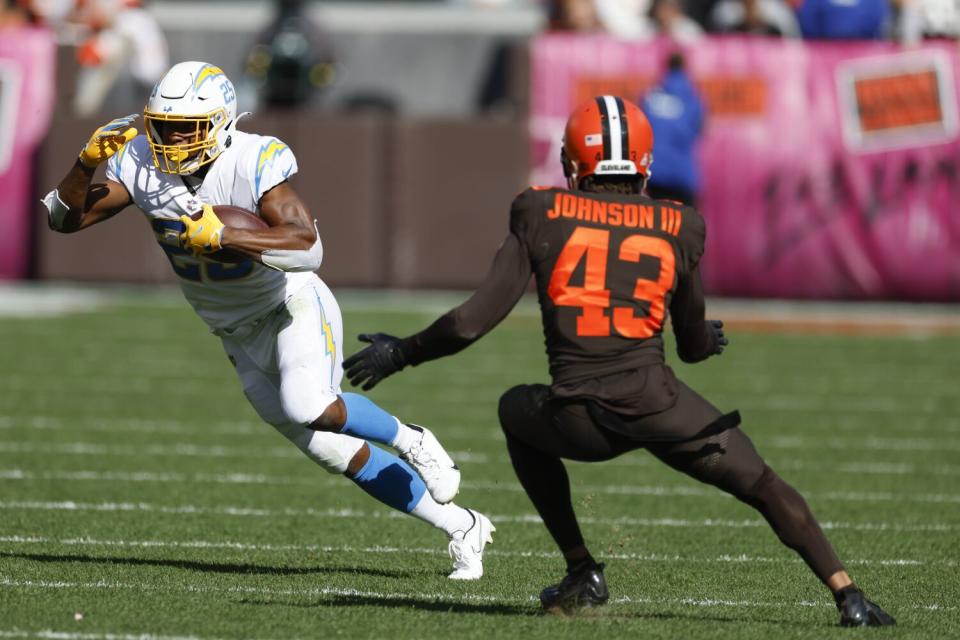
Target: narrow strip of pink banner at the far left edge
x: 27, y: 58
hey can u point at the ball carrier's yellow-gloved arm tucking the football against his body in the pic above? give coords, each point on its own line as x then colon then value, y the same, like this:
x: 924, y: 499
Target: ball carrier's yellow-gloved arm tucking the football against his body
x: 292, y: 243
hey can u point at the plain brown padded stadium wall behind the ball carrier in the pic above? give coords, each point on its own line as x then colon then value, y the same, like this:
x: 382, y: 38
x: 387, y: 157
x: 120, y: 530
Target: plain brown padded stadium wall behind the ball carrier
x: 401, y: 201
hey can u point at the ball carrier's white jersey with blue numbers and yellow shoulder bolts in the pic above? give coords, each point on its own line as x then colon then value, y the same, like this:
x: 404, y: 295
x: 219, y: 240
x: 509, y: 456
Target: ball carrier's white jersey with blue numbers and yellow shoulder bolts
x: 226, y: 296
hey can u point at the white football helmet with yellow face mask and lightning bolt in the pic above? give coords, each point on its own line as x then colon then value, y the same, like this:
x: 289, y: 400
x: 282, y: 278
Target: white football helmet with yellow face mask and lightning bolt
x: 197, y: 94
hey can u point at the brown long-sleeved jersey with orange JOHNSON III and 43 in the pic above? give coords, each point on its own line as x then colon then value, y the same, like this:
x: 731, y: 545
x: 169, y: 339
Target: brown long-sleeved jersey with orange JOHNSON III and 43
x: 607, y: 267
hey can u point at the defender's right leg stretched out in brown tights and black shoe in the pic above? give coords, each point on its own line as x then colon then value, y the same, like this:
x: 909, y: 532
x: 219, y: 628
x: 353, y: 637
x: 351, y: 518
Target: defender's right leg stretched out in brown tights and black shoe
x: 728, y: 460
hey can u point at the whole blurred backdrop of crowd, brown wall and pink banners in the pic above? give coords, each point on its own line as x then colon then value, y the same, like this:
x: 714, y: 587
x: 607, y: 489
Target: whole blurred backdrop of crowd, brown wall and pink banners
x: 417, y: 121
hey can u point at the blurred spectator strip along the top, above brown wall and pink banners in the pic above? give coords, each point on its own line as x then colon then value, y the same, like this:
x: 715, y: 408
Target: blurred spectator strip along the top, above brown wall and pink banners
x: 325, y: 54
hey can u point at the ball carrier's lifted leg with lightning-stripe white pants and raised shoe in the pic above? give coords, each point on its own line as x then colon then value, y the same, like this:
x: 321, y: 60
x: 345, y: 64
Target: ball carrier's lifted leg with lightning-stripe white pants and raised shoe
x: 351, y: 413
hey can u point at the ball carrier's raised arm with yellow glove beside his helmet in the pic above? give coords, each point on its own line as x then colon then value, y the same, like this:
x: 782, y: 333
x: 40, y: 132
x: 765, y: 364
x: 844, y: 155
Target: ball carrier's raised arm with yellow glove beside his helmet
x: 78, y: 202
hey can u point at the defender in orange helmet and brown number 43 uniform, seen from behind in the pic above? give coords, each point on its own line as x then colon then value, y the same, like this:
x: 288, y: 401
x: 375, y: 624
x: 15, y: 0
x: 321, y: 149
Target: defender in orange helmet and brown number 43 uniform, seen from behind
x: 608, y: 263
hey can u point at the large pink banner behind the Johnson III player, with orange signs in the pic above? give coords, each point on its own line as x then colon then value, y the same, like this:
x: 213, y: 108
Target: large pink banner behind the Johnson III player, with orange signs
x: 830, y: 170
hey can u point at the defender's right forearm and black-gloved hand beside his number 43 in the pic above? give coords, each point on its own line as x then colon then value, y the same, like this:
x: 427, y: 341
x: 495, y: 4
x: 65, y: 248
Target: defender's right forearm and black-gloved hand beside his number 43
x: 697, y: 337
